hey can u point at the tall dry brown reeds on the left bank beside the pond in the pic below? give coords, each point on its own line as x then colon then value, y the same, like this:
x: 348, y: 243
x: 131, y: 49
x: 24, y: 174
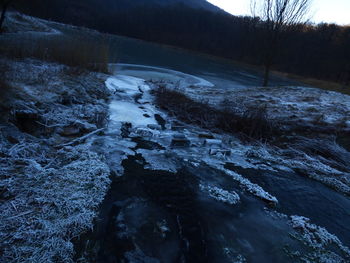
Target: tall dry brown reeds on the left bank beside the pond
x: 81, y: 52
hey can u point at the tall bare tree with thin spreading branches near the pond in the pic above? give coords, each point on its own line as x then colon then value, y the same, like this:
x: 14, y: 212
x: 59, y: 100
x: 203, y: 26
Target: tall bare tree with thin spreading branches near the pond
x: 277, y: 15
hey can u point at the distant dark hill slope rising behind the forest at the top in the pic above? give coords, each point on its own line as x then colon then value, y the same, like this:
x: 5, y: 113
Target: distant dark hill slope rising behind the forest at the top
x: 91, y: 12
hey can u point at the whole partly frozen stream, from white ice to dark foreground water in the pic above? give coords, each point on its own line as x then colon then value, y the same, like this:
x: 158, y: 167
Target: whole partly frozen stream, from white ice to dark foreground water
x: 183, y: 194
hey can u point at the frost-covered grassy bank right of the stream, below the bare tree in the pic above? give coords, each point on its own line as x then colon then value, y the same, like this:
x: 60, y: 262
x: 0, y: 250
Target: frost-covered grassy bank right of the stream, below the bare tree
x: 304, y: 142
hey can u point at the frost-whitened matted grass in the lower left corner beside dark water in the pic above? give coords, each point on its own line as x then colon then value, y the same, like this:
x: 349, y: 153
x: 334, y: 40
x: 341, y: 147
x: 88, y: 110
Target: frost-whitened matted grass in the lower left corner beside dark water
x: 46, y: 205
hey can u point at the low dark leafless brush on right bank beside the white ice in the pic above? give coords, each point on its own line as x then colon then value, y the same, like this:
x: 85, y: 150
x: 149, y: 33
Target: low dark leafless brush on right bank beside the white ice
x: 252, y: 124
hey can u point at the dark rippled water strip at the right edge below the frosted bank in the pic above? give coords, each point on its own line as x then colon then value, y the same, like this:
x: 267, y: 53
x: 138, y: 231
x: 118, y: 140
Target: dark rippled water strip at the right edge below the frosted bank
x: 299, y: 195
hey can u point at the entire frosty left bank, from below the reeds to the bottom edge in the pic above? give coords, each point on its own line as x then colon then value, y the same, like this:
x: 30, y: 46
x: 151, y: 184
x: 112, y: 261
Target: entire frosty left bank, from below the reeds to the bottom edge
x: 49, y: 194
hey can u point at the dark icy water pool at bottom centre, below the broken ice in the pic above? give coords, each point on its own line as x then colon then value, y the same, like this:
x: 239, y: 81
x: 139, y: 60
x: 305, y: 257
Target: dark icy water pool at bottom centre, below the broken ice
x: 199, y: 229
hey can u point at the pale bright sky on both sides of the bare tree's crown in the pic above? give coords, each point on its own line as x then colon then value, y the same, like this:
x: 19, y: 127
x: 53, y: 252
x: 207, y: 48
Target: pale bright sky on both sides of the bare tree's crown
x: 330, y: 11
